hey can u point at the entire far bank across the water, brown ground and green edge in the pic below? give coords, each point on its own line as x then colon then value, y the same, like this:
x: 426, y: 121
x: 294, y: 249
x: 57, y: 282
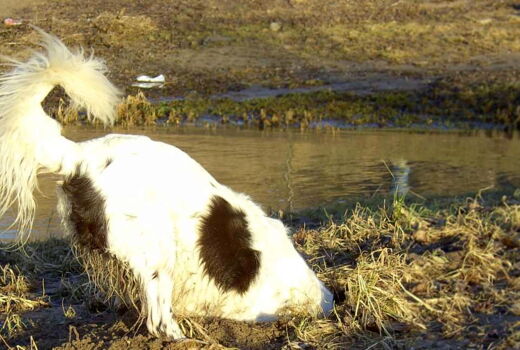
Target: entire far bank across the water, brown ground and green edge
x: 463, y: 54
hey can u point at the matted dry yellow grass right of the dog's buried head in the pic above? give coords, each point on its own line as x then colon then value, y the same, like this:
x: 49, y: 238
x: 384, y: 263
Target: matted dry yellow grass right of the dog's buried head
x: 371, y: 259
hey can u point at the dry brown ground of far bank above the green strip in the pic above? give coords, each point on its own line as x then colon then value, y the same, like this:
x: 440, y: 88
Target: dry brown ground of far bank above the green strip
x: 214, y: 46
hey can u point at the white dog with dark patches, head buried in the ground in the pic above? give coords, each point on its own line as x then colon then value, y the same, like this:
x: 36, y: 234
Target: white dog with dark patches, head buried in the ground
x: 195, y: 247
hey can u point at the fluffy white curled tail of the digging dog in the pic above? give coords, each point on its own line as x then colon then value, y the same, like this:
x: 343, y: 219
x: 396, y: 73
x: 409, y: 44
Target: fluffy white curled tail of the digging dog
x: 31, y: 141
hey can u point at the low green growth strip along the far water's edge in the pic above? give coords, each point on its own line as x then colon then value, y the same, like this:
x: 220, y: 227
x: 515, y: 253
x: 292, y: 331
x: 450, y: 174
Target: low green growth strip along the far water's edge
x: 447, y: 103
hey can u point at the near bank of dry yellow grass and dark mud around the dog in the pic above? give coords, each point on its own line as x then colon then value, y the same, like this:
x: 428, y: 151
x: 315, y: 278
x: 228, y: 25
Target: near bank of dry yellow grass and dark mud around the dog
x: 400, y: 273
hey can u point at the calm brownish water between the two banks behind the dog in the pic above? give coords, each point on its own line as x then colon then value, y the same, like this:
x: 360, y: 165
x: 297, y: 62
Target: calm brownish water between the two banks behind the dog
x: 289, y: 170
